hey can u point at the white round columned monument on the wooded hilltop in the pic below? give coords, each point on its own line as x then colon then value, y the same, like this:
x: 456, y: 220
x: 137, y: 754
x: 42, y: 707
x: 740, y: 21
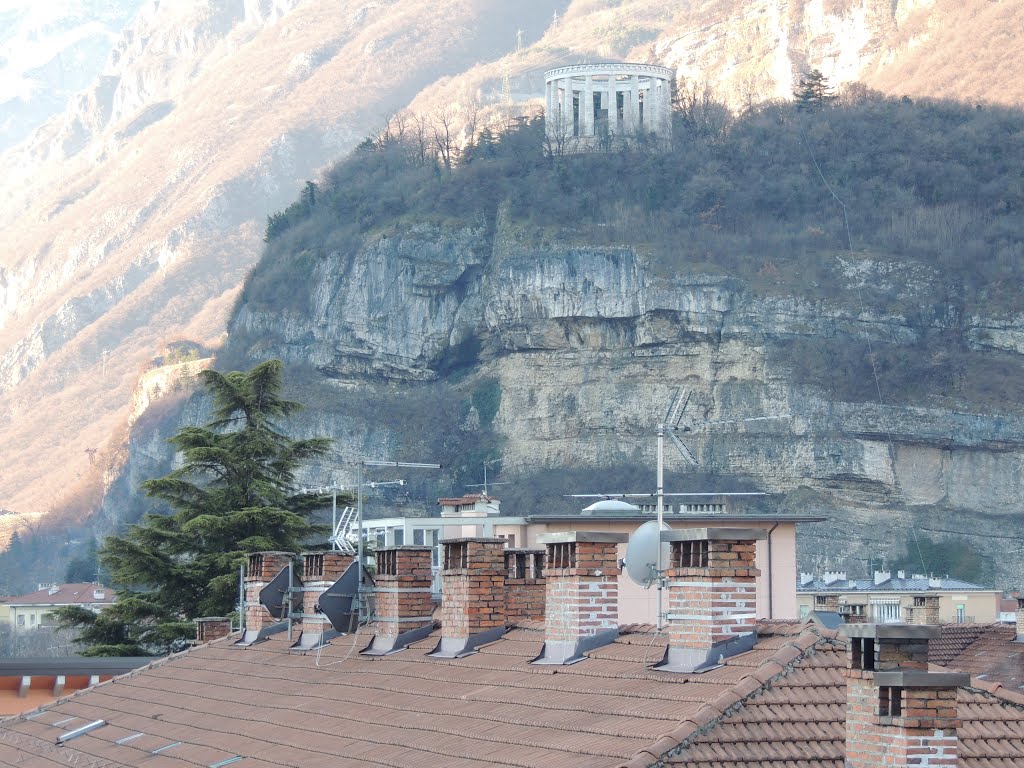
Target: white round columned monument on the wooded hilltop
x: 588, y: 106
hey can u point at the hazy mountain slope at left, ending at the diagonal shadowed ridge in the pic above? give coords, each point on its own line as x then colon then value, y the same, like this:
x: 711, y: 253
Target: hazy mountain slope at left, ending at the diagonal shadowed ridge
x: 141, y: 221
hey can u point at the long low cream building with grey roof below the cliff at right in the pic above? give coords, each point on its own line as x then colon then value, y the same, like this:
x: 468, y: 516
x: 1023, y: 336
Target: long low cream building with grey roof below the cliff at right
x: 889, y: 599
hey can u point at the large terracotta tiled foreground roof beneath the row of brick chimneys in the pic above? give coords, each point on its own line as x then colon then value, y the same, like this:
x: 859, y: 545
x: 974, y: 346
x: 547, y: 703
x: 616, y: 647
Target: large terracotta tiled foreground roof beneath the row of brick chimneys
x: 780, y: 705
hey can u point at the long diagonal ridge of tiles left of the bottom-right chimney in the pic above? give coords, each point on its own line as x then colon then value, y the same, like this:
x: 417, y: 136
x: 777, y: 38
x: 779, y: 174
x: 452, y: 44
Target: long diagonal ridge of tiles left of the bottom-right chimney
x: 776, y: 667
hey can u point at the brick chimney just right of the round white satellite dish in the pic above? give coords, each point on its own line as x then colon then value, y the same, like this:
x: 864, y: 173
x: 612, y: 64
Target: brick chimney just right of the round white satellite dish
x: 711, y: 596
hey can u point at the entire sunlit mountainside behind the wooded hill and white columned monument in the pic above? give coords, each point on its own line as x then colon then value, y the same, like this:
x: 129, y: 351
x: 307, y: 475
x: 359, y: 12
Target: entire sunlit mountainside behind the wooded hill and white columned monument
x: 132, y: 220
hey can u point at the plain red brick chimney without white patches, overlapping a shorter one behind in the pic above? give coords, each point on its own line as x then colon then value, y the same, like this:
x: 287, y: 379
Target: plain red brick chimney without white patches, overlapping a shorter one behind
x: 473, y: 595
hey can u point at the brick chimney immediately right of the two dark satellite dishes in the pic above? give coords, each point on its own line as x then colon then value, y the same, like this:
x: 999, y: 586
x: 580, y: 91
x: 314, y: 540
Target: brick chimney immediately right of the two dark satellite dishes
x: 403, y: 595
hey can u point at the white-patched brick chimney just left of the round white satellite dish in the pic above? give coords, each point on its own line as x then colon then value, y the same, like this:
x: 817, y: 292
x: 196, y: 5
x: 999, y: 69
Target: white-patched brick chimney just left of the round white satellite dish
x: 582, y: 594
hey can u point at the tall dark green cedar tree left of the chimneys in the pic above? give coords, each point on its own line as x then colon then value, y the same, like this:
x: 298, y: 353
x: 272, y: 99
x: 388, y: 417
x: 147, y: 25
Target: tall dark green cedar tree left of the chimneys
x: 234, y: 494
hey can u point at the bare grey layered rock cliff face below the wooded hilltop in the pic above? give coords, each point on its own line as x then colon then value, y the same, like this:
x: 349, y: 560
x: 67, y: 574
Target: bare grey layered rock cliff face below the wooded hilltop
x: 586, y: 346
